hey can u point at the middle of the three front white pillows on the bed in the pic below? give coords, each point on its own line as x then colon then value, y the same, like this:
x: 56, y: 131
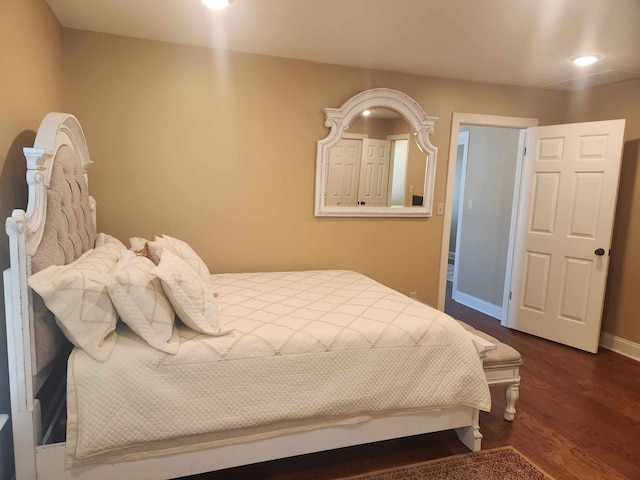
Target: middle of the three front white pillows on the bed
x: 140, y: 302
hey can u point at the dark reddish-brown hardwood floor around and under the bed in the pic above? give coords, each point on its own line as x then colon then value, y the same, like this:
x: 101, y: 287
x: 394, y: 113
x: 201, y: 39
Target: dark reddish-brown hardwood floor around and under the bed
x: 578, y: 417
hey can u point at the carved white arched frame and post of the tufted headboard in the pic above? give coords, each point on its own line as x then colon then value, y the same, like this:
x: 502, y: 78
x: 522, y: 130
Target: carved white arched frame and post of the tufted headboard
x: 25, y: 230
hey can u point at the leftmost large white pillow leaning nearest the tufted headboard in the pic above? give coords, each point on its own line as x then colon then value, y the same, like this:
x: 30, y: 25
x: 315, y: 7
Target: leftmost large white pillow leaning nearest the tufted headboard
x: 82, y: 306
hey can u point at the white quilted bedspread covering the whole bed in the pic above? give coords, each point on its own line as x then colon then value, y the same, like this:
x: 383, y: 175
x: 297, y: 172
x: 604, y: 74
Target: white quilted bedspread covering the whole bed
x: 307, y: 349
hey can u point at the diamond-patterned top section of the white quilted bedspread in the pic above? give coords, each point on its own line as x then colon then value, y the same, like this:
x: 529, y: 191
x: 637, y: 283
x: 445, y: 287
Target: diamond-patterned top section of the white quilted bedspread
x: 322, y: 310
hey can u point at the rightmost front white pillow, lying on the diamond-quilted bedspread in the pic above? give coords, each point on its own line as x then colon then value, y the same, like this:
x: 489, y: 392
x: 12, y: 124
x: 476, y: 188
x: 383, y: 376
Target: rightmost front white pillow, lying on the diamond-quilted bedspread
x: 189, y: 295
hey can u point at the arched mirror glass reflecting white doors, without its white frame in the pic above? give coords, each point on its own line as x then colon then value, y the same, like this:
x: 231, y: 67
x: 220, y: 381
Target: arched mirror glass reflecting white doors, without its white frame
x: 375, y: 163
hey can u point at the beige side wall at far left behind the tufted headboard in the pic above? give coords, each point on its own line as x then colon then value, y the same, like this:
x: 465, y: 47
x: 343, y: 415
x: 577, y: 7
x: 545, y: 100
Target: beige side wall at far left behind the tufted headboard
x: 31, y: 84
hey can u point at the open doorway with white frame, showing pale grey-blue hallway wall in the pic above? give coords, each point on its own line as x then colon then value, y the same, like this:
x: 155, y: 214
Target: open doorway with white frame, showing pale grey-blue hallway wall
x: 480, y: 243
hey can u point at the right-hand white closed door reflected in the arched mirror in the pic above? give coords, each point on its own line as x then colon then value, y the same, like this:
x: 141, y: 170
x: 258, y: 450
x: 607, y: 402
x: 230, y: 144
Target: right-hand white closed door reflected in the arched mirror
x: 374, y: 173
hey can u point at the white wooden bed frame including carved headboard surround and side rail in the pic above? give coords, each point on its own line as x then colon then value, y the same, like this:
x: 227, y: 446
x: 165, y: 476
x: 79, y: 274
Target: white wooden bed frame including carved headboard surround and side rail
x: 36, y: 459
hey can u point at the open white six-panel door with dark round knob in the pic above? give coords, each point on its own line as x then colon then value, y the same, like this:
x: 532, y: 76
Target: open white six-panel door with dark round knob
x: 565, y: 223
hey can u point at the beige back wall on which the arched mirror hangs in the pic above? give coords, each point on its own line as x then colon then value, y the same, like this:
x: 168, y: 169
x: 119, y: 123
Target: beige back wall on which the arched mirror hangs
x: 219, y: 149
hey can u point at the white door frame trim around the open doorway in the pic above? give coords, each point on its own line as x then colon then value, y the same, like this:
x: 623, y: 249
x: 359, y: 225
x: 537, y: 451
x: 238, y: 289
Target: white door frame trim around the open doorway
x: 479, y: 120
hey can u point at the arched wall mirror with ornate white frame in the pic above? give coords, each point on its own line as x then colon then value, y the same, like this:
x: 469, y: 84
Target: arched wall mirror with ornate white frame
x: 377, y: 159
